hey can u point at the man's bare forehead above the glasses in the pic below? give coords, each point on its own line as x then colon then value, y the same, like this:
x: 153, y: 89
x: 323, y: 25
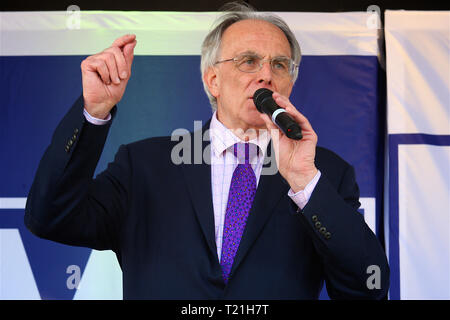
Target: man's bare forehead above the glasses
x: 254, y: 35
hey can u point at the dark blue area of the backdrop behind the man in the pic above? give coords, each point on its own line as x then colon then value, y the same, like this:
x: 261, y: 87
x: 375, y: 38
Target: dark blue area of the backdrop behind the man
x: 338, y: 94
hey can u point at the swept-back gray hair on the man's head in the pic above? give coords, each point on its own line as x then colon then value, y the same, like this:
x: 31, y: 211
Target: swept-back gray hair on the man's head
x: 234, y: 12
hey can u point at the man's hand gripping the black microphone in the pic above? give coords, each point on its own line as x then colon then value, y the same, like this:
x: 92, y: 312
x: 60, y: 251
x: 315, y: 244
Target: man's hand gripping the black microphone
x: 295, y: 158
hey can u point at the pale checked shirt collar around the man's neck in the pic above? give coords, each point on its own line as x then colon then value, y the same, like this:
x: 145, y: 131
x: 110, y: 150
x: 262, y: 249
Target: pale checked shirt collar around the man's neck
x: 223, y: 138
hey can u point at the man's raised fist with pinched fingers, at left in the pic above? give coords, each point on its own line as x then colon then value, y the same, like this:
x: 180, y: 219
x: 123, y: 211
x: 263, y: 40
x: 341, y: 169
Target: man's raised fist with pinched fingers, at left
x: 105, y: 76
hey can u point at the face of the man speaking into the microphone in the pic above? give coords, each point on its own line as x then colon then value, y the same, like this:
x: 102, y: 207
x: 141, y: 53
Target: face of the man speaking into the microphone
x: 233, y: 88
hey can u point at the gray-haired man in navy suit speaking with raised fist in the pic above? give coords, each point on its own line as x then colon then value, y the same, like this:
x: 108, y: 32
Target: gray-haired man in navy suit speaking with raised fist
x: 219, y: 231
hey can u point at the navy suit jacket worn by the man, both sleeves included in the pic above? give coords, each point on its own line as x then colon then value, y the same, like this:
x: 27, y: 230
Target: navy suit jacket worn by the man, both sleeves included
x: 158, y: 218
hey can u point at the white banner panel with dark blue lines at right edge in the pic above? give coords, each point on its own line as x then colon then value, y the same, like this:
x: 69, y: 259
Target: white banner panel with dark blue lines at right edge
x: 418, y: 209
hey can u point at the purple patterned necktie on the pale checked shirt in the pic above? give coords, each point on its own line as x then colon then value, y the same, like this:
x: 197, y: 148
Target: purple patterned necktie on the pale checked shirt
x: 240, y: 199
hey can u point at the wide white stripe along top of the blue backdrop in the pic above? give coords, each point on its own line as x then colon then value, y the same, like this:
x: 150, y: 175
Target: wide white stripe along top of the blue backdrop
x: 171, y: 33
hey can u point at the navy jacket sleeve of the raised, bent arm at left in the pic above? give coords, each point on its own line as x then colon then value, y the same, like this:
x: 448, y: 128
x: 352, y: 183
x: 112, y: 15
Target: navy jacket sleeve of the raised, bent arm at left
x: 65, y: 204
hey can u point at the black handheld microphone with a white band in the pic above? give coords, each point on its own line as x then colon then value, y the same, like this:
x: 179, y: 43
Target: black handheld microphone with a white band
x: 266, y: 104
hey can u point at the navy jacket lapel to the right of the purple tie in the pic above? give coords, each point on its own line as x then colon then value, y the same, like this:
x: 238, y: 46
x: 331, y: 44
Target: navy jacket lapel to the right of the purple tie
x: 270, y: 190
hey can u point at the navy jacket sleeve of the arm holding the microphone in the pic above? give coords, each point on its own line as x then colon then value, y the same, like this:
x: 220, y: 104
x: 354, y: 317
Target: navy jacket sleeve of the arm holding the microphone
x: 349, y: 250
